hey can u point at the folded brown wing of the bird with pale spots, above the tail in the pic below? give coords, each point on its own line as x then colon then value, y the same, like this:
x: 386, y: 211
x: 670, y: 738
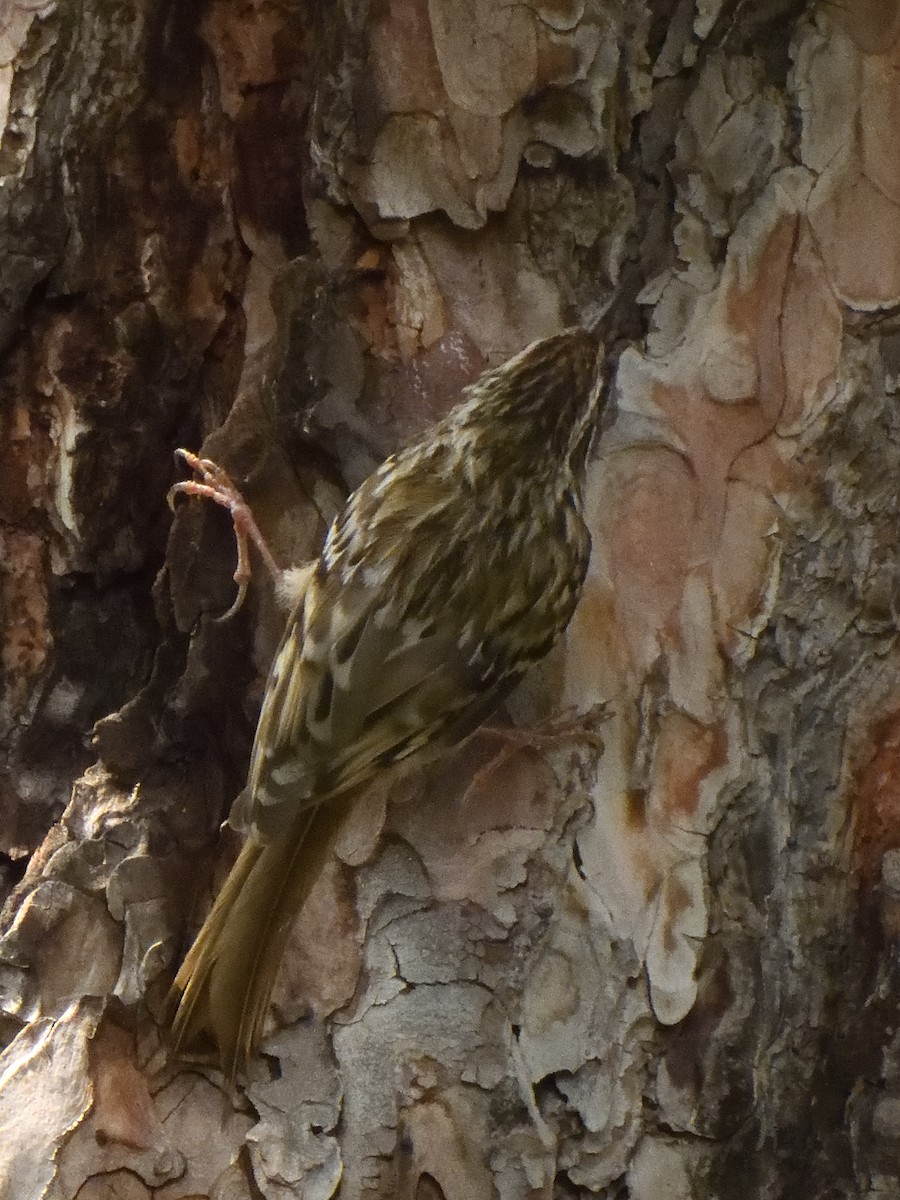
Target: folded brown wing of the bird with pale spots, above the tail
x: 355, y: 689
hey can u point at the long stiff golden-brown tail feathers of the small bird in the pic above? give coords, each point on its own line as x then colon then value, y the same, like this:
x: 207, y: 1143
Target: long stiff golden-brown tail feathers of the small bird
x: 221, y: 995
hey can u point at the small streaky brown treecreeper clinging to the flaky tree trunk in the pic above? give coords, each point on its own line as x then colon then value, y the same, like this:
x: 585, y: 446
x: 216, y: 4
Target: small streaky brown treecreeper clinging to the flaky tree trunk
x: 452, y: 569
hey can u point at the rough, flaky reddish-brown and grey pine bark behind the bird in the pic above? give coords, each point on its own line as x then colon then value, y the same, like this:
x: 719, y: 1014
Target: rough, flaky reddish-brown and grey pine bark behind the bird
x: 291, y: 233
